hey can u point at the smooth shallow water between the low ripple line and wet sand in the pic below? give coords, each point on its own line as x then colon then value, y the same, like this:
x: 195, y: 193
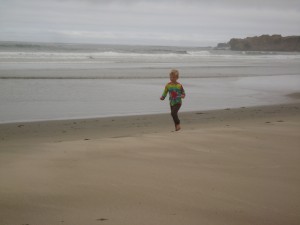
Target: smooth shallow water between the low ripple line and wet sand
x: 55, y: 100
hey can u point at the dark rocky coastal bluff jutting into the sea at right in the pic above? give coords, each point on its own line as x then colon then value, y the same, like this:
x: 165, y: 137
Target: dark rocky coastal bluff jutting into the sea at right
x: 266, y: 43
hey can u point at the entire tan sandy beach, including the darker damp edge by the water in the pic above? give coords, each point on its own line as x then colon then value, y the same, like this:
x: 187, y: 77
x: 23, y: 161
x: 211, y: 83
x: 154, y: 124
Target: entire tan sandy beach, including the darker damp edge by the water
x: 232, y: 166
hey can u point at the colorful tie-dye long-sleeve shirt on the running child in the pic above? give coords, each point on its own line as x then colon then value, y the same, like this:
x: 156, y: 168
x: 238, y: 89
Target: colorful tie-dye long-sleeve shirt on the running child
x: 176, y: 92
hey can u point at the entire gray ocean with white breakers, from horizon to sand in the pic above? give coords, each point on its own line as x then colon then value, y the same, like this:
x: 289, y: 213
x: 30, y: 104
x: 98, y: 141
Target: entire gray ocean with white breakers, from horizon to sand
x: 52, y: 81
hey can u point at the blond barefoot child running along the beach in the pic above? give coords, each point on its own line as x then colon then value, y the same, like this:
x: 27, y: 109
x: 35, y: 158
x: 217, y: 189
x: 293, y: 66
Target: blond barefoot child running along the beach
x: 176, y: 93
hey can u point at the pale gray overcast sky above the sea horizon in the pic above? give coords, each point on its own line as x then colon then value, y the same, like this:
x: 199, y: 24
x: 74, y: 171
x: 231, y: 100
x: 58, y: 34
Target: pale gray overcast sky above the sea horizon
x: 155, y: 22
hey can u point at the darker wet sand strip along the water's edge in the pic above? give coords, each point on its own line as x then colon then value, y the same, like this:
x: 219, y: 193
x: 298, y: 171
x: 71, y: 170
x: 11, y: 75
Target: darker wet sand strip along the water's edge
x: 117, y: 126
